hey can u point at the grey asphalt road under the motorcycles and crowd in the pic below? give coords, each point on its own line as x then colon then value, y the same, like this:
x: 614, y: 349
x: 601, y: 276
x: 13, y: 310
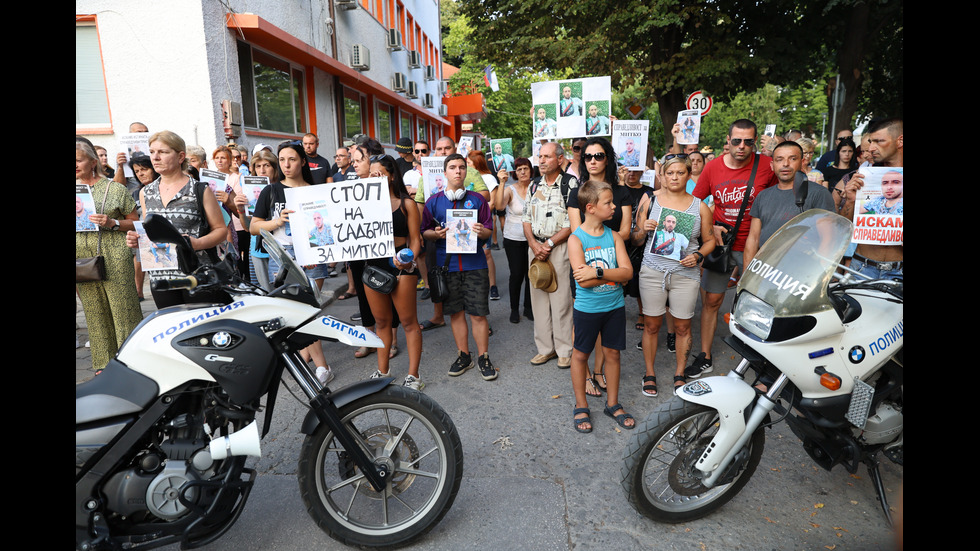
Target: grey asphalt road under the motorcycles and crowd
x: 531, y: 482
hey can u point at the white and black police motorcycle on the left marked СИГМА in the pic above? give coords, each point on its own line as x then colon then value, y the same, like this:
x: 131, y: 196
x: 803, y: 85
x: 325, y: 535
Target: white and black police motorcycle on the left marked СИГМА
x: 163, y: 433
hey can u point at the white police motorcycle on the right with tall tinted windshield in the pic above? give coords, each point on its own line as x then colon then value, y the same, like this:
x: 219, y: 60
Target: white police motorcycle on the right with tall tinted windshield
x: 825, y: 354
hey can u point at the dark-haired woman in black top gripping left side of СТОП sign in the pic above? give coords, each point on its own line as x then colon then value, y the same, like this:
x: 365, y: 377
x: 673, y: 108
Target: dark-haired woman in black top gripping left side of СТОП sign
x: 272, y: 215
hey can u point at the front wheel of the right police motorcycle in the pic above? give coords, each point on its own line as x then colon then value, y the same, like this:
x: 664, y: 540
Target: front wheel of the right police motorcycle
x: 658, y: 471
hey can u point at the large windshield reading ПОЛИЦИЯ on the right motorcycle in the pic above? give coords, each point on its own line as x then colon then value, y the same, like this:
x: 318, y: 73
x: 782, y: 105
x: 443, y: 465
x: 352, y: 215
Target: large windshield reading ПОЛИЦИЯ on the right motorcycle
x: 792, y: 271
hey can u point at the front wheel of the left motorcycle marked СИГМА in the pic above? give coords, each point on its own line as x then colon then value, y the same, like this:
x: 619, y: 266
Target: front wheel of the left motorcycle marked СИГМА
x: 416, y: 437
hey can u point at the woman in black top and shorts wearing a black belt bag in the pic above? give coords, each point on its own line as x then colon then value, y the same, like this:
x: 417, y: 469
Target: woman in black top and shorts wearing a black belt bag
x: 405, y: 231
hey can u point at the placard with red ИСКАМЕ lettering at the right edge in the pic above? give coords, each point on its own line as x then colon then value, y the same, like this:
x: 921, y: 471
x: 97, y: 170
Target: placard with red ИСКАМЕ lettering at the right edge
x: 879, y: 207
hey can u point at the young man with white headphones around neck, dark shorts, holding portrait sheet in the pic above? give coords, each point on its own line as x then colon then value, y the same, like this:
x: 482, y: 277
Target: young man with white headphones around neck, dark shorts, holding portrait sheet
x: 468, y: 278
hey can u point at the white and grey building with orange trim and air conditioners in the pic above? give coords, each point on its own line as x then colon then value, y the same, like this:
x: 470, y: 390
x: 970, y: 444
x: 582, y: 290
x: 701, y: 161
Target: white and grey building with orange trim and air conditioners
x: 260, y: 71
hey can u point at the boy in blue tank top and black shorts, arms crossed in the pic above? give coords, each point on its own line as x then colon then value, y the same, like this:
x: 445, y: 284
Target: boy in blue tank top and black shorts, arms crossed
x: 596, y: 254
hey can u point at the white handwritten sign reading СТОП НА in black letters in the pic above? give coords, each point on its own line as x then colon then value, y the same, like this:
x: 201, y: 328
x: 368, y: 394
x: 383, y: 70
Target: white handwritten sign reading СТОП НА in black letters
x: 348, y: 220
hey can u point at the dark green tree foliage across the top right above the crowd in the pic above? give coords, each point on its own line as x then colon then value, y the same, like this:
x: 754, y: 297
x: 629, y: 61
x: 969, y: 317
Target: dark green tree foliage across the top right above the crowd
x: 665, y: 49
